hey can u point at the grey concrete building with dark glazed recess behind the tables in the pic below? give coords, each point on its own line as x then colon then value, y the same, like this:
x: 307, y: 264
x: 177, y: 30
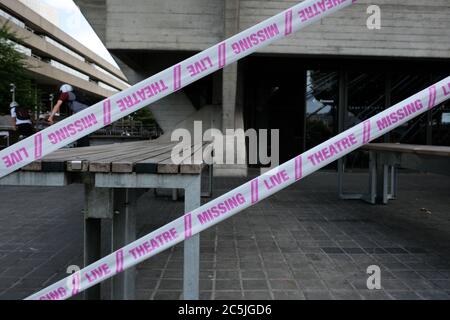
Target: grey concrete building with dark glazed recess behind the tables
x: 338, y: 70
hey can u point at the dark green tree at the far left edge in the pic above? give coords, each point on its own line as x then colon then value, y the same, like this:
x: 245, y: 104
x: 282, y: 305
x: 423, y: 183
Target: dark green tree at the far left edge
x: 13, y: 70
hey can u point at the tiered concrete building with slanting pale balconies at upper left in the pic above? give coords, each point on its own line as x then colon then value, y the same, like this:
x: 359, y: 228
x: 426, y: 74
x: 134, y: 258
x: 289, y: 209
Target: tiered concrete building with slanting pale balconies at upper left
x: 54, y: 57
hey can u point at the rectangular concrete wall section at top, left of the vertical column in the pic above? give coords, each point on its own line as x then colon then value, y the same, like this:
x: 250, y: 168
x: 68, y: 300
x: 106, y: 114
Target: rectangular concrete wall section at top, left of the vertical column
x: 165, y: 25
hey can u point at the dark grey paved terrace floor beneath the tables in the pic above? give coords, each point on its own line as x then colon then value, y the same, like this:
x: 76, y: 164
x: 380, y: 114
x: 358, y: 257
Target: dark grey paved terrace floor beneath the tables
x: 303, y: 243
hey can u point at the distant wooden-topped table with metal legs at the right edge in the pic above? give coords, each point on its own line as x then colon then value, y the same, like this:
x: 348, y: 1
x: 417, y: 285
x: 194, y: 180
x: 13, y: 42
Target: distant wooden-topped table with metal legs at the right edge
x: 386, y: 158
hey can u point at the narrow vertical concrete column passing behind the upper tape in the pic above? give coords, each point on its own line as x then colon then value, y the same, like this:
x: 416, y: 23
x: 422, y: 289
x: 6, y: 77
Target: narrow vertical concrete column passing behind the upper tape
x: 231, y: 20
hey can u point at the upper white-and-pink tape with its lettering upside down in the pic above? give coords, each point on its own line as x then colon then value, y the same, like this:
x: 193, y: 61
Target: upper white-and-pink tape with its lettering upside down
x: 166, y: 82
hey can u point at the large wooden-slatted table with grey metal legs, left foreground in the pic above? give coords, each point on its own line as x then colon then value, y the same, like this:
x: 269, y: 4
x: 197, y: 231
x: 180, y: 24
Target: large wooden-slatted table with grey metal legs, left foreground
x: 114, y: 177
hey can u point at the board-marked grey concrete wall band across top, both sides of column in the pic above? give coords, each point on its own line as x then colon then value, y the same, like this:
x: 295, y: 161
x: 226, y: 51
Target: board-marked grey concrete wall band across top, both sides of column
x: 413, y: 28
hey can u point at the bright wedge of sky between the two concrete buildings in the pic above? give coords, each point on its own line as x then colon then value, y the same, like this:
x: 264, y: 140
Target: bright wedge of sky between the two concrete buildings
x: 72, y: 21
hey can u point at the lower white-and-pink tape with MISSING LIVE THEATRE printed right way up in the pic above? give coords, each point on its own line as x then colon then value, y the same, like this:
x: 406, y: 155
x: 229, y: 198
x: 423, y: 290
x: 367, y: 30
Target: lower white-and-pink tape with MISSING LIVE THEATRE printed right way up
x: 251, y: 192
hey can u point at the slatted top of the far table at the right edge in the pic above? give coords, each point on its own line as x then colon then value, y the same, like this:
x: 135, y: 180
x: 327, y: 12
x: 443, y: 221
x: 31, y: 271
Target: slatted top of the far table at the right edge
x: 410, y: 148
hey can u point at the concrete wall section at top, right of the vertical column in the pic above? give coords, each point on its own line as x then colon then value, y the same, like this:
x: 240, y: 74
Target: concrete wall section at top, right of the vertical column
x: 412, y: 28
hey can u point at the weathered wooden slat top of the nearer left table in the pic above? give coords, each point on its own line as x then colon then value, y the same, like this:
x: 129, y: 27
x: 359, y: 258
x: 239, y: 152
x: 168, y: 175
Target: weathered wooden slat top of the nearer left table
x: 139, y: 157
